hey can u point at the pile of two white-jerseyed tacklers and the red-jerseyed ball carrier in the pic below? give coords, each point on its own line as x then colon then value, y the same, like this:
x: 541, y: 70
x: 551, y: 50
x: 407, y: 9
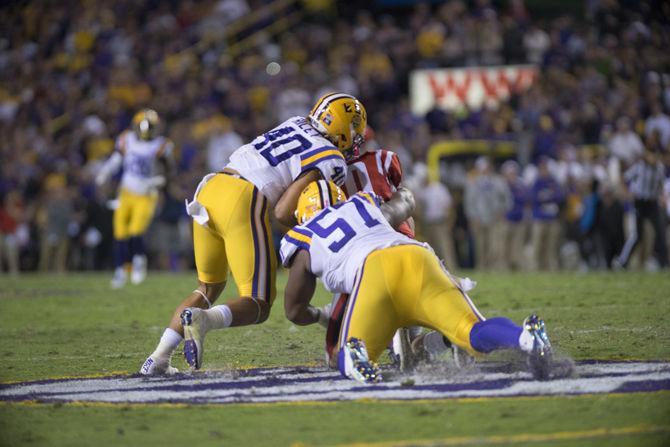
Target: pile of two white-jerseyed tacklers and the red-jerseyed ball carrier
x: 389, y: 280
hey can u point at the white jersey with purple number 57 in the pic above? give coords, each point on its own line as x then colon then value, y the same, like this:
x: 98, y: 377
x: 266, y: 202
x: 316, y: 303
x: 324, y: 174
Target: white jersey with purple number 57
x: 339, y: 239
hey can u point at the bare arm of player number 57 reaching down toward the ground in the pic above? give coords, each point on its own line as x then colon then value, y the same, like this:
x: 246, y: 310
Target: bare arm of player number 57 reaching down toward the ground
x: 299, y: 291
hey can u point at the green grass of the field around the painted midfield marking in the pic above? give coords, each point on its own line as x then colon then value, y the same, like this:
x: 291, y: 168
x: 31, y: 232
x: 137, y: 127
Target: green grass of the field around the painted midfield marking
x: 62, y: 326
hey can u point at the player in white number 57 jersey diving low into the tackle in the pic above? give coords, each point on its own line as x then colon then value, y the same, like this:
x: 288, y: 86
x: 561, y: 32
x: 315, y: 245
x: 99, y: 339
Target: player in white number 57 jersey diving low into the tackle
x: 394, y: 282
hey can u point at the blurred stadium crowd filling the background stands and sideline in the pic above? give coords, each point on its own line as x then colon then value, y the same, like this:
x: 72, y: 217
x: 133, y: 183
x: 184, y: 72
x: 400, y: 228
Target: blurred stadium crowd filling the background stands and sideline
x: 72, y: 73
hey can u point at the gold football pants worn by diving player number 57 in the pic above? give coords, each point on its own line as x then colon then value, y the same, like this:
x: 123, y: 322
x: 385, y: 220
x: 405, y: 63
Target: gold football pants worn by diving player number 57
x: 406, y: 286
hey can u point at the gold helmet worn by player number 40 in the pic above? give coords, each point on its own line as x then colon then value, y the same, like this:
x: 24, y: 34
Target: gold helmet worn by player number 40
x: 340, y: 118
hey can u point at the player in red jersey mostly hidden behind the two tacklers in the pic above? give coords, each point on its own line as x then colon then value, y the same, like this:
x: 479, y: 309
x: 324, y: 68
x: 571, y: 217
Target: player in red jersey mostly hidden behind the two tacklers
x: 373, y: 170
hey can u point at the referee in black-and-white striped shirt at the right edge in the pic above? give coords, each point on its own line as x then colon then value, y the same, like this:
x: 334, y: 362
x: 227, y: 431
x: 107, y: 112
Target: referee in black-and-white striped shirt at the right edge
x: 645, y: 182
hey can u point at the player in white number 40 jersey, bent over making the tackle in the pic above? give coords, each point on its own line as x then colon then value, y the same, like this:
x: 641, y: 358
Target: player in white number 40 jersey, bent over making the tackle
x: 231, y: 228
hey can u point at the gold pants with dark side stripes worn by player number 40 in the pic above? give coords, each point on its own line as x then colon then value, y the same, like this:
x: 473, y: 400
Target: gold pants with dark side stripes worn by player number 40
x: 237, y: 237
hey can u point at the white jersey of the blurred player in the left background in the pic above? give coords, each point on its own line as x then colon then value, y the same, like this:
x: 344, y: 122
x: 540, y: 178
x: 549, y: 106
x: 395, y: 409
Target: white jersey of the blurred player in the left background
x: 140, y: 159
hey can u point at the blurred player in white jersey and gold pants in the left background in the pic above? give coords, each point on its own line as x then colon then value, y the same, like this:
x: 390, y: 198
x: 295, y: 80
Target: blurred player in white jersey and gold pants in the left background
x: 139, y: 151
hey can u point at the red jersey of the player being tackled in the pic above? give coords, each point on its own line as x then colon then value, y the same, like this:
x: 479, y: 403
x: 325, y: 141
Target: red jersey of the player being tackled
x: 379, y: 172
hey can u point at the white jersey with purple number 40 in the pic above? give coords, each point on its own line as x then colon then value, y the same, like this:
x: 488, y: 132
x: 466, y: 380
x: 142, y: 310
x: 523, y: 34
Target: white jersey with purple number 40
x: 275, y: 159
